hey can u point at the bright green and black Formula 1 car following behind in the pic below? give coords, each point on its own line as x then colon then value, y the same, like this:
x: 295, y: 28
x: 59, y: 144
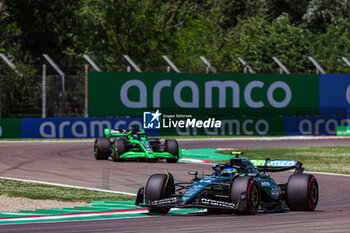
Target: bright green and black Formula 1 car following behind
x: 135, y: 145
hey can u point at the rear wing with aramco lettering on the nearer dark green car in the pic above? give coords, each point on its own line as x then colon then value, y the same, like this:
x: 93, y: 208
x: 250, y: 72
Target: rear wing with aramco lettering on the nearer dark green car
x: 268, y: 165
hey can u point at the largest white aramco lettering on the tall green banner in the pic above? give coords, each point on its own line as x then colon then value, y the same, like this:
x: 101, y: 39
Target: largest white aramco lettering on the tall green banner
x: 208, y: 93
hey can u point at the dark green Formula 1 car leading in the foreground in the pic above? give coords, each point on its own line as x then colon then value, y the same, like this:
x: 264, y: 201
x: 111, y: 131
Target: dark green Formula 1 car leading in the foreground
x: 238, y: 187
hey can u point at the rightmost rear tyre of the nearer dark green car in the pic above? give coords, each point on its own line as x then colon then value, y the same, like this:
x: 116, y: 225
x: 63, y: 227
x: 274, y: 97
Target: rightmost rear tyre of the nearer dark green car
x: 302, y: 192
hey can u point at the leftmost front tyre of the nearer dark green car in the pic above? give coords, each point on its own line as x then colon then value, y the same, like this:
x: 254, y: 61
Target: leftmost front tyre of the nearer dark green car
x: 159, y: 186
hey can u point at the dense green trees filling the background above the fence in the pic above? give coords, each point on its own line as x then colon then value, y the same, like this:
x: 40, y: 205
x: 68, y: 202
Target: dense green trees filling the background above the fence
x: 183, y: 30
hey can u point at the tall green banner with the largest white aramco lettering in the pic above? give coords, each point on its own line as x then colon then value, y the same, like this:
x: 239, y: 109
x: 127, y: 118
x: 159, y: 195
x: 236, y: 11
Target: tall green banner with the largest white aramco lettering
x: 129, y: 94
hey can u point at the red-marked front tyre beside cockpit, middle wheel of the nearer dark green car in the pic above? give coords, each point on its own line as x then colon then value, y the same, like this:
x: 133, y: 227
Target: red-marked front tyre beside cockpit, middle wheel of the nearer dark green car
x: 251, y: 187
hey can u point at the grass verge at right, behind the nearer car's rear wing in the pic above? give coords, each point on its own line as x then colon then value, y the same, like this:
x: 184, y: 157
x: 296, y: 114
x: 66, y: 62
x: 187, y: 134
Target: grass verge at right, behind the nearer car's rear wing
x: 323, y: 159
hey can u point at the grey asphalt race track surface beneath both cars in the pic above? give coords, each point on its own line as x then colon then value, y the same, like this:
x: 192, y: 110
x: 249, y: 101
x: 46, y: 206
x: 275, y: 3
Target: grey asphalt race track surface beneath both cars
x: 72, y: 163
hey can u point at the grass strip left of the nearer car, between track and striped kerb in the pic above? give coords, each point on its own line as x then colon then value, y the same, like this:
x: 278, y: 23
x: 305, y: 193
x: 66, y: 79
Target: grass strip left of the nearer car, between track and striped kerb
x: 49, y: 192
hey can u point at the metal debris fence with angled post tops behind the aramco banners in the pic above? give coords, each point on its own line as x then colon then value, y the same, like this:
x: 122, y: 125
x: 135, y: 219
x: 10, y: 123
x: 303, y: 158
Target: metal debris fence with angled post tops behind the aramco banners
x: 66, y: 94
